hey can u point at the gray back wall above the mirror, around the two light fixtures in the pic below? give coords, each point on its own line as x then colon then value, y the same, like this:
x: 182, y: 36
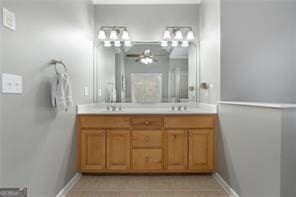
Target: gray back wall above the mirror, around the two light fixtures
x: 147, y: 22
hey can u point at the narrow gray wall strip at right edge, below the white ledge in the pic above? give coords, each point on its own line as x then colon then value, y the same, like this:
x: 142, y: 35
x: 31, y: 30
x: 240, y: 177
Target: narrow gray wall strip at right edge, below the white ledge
x: 288, y: 172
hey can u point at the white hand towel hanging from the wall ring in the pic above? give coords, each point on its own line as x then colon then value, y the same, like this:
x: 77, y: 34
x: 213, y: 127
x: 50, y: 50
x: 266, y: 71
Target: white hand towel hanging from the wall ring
x: 61, y: 92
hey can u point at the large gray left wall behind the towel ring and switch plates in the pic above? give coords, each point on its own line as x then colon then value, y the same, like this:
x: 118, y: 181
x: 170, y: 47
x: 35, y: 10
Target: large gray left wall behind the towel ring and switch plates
x: 38, y: 145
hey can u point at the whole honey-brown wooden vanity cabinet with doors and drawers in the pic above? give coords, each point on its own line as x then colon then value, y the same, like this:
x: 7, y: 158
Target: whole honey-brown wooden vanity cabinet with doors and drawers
x: 145, y: 144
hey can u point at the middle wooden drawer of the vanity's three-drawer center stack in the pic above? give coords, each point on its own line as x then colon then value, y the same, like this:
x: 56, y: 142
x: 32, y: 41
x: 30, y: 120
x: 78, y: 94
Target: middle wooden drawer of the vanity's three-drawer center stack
x: 147, y: 138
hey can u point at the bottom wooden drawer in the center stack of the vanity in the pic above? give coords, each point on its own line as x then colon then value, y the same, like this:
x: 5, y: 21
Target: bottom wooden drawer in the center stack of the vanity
x: 147, y: 159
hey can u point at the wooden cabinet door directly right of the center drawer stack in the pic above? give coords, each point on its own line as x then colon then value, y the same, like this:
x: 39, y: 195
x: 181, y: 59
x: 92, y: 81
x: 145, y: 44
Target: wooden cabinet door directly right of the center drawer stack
x: 176, y: 150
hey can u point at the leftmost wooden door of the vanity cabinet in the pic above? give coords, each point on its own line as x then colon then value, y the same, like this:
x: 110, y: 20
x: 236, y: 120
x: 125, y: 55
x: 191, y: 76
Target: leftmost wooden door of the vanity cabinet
x: 92, y: 150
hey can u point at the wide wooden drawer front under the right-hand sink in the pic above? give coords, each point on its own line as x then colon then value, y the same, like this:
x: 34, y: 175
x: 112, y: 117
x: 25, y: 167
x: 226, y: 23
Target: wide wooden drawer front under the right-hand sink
x: 187, y: 122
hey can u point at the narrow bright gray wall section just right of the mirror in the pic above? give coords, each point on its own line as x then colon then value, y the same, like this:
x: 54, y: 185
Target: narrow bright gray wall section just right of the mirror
x: 209, y: 26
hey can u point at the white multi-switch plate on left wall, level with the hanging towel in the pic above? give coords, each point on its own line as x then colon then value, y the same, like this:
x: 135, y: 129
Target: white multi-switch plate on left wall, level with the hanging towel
x: 12, y: 84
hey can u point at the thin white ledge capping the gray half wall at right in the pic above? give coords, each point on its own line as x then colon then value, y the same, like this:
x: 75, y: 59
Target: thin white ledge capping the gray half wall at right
x: 258, y: 104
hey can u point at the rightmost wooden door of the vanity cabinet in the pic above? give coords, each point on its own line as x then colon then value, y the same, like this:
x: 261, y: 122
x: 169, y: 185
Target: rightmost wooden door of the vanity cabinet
x: 201, y: 150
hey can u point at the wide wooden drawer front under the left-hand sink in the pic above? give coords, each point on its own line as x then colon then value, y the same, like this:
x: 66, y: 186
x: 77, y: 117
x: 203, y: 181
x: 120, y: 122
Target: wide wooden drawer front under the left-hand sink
x: 108, y: 122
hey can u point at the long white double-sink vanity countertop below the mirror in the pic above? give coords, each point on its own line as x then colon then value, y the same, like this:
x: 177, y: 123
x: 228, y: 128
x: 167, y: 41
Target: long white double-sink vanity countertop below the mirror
x: 146, y: 109
